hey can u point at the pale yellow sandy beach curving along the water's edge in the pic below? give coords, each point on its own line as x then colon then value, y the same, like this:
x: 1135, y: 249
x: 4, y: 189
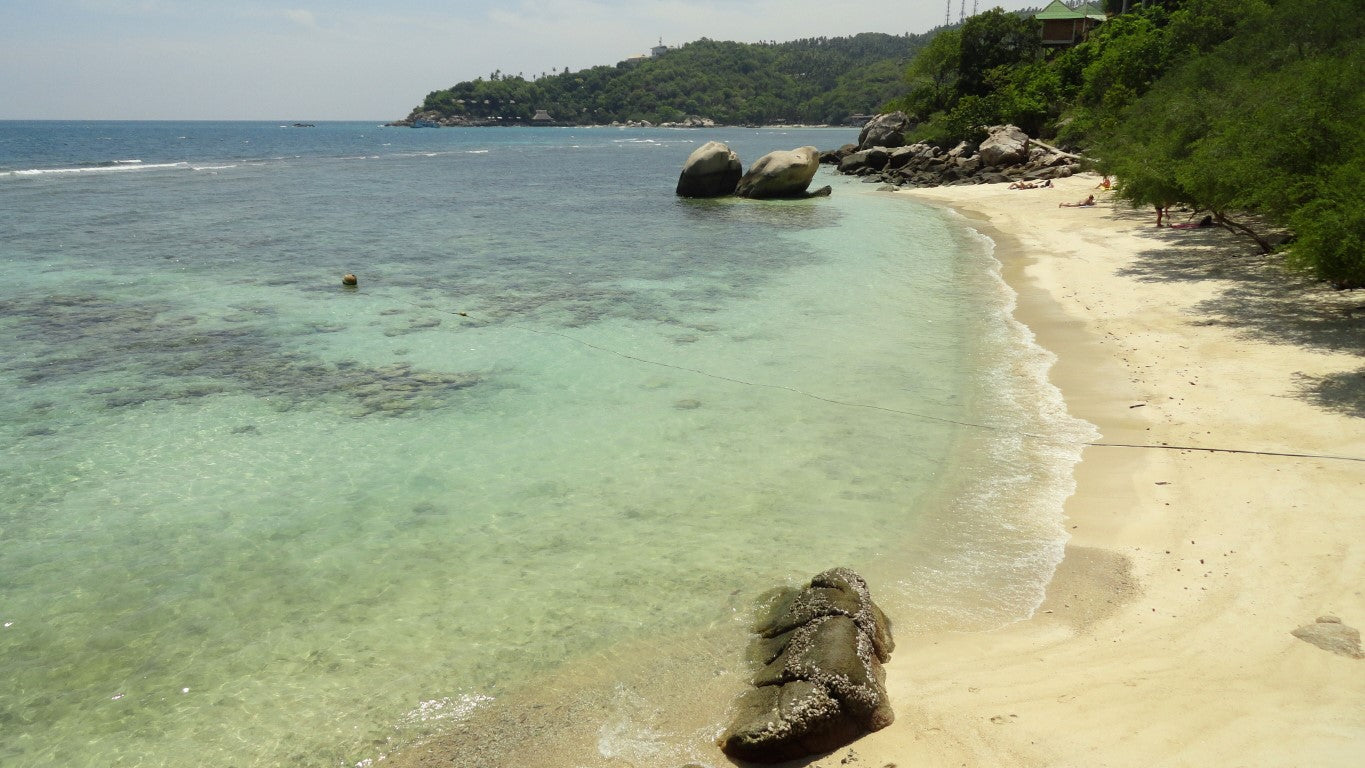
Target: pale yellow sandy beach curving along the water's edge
x: 1166, y: 634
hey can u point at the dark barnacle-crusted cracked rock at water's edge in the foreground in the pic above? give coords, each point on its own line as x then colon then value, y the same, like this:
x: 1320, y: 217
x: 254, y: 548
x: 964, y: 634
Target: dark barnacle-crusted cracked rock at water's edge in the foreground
x: 821, y: 680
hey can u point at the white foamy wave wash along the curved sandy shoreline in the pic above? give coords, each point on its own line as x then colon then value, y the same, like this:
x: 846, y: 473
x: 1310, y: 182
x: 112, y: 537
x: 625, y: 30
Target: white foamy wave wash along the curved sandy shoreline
x: 1007, y: 533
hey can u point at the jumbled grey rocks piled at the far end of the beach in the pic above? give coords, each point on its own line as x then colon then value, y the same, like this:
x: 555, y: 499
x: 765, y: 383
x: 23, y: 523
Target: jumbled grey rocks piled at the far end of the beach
x: 1008, y: 155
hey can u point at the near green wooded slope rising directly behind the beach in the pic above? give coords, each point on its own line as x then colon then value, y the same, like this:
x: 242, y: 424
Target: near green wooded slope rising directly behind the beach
x: 1248, y: 110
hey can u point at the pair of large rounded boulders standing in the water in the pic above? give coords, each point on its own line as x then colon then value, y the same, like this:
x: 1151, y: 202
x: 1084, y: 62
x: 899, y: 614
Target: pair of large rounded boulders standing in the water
x: 715, y: 171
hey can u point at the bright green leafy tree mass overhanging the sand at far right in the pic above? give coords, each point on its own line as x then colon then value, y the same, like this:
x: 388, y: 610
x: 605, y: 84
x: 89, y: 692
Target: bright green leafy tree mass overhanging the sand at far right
x: 1266, y: 123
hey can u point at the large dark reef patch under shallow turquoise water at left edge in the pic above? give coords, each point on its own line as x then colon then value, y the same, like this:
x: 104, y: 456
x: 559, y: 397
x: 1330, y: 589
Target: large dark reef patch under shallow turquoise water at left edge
x: 147, y: 351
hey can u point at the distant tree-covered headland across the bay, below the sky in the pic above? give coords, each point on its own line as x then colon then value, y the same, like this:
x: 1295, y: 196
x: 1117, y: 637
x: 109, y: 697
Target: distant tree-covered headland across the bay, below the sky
x: 807, y: 81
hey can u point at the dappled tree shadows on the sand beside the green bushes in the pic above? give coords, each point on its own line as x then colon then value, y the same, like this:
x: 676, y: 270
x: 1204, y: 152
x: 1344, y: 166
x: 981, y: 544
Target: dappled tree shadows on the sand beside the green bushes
x: 1262, y: 301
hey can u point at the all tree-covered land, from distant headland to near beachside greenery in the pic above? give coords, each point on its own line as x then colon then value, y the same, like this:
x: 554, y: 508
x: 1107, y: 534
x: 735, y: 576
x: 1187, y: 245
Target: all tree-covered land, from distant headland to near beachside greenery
x: 1247, y: 110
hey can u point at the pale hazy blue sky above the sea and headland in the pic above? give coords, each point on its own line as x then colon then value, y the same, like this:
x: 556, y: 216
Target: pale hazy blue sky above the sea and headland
x: 364, y: 61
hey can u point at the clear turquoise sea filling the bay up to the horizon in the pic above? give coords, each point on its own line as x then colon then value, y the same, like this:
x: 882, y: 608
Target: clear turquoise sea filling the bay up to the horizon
x: 250, y: 516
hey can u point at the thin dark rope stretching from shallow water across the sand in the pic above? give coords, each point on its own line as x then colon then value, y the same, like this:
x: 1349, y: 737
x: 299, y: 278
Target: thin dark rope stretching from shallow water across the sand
x: 887, y: 409
